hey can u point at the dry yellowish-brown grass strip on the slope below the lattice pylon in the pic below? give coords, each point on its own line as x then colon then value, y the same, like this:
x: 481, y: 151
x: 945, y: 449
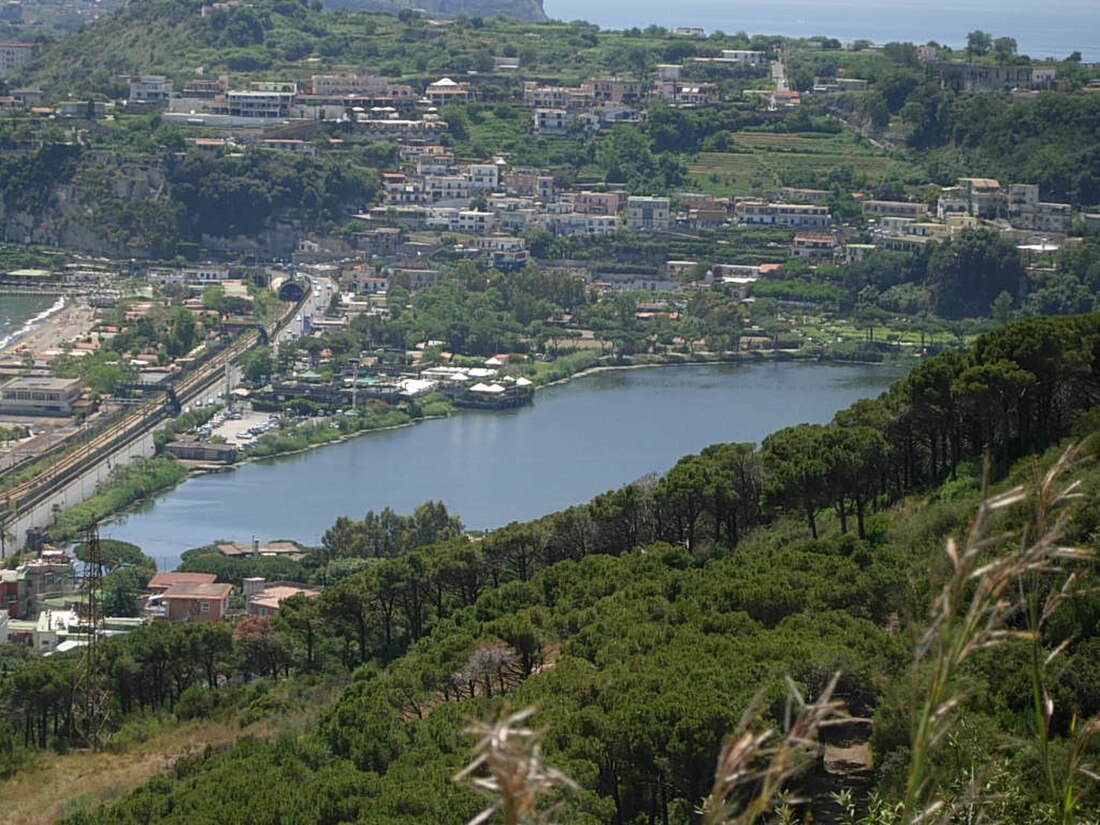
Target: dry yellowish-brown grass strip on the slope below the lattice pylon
x: 59, y: 785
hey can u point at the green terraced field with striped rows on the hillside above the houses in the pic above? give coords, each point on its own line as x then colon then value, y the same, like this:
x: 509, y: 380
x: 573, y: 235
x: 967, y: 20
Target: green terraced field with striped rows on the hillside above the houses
x: 763, y: 160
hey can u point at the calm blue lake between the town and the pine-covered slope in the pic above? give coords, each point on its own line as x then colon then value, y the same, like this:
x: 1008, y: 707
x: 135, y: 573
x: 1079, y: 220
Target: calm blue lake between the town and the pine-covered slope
x: 579, y: 439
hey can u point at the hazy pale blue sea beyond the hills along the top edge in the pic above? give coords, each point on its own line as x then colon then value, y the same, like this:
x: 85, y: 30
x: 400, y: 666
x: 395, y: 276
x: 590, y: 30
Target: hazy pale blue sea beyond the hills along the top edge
x: 1042, y: 28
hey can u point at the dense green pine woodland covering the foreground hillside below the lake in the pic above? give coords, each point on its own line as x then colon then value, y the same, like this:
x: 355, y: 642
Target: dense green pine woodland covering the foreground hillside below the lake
x: 641, y: 624
